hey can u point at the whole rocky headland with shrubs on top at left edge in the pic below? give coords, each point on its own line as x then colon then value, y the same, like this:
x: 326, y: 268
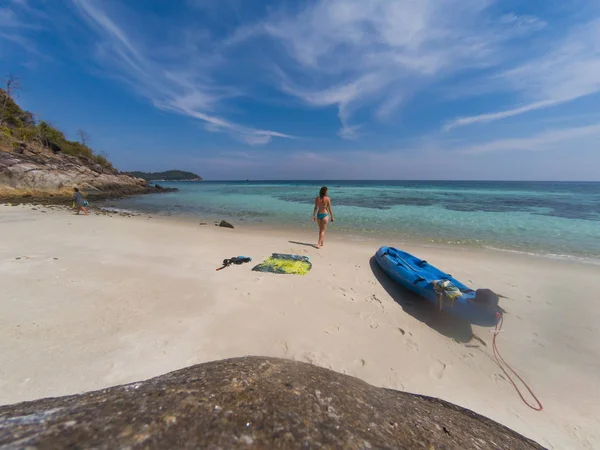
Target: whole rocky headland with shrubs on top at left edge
x: 38, y: 161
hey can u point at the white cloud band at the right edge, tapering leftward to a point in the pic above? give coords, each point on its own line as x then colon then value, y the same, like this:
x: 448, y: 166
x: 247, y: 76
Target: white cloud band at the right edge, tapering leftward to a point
x: 568, y: 71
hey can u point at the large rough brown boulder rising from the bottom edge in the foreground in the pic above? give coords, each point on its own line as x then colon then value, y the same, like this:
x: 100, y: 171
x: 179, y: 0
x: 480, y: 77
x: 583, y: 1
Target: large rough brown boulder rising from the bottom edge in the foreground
x: 251, y: 402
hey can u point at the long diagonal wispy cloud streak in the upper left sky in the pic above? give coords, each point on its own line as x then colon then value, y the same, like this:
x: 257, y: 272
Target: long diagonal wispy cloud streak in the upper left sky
x: 179, y: 86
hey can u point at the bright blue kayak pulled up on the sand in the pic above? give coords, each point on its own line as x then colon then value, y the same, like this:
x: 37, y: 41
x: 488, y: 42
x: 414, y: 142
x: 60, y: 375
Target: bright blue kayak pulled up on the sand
x: 478, y: 307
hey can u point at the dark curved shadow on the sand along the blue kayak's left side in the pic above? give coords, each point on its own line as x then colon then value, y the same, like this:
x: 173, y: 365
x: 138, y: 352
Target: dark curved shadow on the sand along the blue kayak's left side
x: 446, y: 324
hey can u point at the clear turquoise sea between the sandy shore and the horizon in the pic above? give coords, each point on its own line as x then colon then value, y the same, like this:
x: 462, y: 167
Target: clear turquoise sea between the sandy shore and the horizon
x: 554, y: 218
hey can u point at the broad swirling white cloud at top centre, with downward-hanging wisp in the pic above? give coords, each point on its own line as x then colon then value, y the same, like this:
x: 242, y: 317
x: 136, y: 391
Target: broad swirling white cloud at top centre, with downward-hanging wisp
x: 352, y: 53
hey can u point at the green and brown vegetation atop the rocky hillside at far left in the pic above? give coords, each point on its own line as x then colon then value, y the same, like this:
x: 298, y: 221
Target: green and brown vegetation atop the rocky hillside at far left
x: 18, y: 127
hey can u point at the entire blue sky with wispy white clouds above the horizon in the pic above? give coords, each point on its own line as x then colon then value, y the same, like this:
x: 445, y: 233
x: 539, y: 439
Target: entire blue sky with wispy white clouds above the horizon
x: 321, y: 89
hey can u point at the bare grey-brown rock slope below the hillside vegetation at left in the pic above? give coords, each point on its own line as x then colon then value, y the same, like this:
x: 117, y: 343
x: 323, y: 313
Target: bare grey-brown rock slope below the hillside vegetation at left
x: 45, y: 173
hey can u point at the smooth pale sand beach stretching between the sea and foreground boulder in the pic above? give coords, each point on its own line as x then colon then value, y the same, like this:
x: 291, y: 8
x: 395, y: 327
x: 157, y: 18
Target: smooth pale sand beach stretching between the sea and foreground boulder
x: 91, y: 302
